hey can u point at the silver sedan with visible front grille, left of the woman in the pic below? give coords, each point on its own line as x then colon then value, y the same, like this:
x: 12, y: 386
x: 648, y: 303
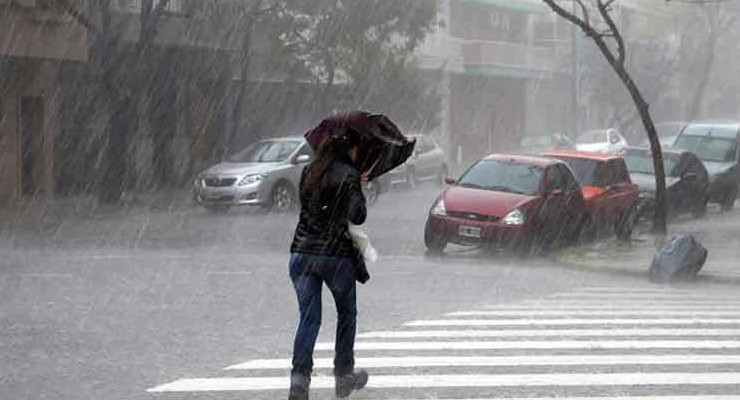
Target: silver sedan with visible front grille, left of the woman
x: 266, y: 174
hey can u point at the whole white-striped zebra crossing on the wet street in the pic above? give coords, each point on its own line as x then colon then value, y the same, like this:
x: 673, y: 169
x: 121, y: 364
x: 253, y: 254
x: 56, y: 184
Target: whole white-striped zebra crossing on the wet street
x: 592, y: 343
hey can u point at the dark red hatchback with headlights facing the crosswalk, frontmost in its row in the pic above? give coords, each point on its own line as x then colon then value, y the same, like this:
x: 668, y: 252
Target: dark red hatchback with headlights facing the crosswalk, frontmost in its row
x: 520, y: 203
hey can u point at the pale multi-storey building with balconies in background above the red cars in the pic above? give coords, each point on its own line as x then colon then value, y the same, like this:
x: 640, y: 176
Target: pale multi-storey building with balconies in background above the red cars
x: 507, y: 72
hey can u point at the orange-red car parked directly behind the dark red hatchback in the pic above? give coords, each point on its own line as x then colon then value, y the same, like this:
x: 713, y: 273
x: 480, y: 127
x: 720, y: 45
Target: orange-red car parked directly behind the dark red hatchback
x: 611, y: 197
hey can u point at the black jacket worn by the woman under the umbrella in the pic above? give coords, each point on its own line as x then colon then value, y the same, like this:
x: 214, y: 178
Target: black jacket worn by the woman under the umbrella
x: 327, y: 212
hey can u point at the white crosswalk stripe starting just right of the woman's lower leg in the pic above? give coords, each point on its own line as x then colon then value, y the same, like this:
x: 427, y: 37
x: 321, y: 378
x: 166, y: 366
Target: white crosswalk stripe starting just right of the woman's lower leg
x: 516, y: 333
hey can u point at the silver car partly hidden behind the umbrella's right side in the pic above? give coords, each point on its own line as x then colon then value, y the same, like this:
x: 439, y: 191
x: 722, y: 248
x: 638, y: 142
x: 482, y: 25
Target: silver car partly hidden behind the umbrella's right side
x: 428, y: 162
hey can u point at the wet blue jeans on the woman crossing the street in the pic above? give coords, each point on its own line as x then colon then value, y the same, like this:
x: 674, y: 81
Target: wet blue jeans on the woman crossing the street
x: 309, y: 273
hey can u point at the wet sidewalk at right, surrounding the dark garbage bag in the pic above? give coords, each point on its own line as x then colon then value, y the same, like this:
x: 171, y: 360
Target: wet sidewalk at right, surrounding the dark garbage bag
x: 719, y: 233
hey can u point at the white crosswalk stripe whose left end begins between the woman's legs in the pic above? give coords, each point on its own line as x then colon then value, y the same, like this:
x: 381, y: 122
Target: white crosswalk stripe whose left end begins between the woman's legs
x: 544, y: 345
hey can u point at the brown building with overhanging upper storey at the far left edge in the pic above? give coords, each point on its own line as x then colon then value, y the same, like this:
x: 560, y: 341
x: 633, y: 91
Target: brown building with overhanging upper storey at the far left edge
x: 37, y: 41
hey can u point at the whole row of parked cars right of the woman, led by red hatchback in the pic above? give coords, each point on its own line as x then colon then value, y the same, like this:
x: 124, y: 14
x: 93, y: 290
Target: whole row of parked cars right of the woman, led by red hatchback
x: 530, y: 203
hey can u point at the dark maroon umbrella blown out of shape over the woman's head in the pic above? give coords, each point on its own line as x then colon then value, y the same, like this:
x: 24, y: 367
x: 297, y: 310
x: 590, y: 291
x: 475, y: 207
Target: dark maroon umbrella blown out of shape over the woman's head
x: 382, y: 145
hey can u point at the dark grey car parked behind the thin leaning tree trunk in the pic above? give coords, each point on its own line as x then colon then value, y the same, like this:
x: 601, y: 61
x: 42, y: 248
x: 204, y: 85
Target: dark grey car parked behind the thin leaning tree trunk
x: 686, y: 178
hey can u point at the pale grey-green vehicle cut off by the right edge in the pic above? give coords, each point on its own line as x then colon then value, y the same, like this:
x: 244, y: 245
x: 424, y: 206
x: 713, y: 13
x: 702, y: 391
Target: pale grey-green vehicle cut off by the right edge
x: 716, y: 145
